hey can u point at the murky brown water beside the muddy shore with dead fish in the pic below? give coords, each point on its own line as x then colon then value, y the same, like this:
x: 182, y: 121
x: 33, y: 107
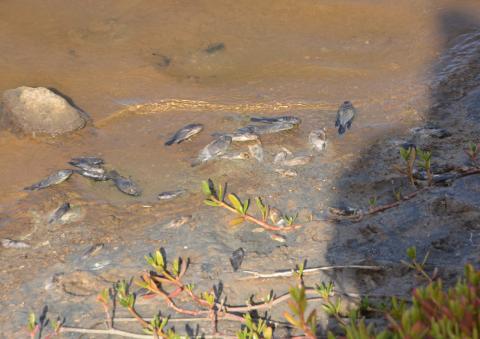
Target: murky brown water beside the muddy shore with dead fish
x: 141, y: 71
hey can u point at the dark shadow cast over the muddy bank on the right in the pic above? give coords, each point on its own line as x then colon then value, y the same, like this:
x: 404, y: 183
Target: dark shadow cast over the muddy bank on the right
x: 442, y: 220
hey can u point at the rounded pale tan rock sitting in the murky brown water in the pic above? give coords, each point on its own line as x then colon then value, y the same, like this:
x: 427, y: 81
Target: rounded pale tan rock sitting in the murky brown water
x: 39, y: 110
